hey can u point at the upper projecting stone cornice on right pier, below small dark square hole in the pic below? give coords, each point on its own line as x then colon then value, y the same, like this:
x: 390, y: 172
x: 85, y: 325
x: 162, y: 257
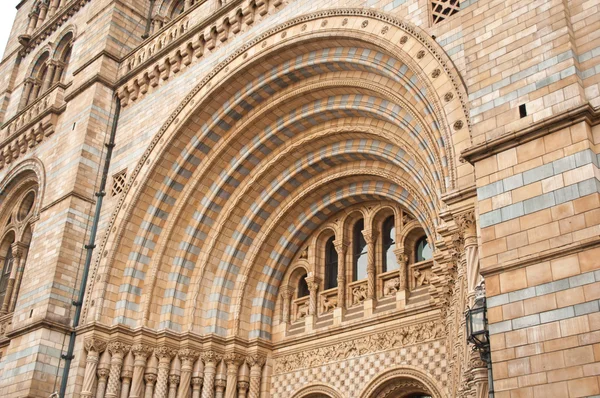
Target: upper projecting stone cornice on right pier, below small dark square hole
x: 544, y: 127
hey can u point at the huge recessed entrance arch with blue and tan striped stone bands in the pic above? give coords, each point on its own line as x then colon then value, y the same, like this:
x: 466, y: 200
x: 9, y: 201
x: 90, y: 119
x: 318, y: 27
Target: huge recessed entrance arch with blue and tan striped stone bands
x: 305, y: 120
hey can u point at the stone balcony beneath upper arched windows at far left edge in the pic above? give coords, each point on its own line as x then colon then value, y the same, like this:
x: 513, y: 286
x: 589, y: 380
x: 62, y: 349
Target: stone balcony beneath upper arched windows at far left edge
x: 31, y: 125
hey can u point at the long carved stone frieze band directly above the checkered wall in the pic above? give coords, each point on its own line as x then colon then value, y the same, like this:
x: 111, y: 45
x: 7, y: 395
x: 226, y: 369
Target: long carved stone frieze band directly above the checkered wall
x: 374, y: 343
